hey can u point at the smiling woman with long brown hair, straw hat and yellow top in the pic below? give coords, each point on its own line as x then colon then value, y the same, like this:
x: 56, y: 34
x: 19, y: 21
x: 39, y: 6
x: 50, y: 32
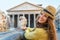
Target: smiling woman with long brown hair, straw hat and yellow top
x: 45, y: 28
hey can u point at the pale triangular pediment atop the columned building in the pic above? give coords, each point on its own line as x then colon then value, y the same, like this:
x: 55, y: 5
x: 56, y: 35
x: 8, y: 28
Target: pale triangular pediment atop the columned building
x: 25, y: 6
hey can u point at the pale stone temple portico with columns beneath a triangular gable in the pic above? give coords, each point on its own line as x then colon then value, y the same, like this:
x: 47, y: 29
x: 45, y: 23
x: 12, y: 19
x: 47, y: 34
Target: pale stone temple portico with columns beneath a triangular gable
x: 30, y: 11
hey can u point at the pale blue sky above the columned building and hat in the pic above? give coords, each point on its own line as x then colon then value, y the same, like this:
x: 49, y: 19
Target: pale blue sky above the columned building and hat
x: 6, y: 4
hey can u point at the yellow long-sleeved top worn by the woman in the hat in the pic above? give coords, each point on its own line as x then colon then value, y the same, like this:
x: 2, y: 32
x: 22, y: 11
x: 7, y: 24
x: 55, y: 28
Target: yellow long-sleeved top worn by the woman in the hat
x: 37, y: 34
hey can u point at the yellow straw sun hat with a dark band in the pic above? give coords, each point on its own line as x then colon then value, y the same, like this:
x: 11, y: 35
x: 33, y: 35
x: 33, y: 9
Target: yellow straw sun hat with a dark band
x: 50, y: 11
